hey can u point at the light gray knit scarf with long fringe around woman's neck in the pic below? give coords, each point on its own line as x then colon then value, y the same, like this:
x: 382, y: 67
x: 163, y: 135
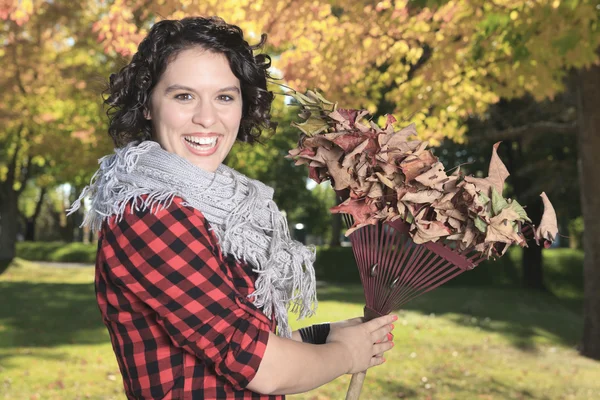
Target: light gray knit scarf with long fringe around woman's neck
x: 240, y: 210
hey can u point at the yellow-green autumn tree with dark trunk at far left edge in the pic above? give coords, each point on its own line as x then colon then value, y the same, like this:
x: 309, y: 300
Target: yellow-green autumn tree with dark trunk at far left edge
x: 50, y: 80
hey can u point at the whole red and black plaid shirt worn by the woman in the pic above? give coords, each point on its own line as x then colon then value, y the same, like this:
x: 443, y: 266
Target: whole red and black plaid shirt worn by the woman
x: 176, y: 308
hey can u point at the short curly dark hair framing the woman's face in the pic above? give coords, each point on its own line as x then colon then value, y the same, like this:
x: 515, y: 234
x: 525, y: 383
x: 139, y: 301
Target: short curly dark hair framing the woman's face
x: 129, y: 90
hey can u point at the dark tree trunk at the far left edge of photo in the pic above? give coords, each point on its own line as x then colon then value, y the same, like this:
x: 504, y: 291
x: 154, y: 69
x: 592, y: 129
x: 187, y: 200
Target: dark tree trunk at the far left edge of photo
x: 8, y: 225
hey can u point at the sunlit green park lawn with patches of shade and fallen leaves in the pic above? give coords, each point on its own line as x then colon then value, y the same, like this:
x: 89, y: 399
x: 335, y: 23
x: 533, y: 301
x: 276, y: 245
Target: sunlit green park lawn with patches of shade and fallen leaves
x: 453, y: 343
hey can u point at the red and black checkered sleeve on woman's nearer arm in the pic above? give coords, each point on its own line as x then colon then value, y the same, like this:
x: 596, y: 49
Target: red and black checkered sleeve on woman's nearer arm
x: 171, y: 261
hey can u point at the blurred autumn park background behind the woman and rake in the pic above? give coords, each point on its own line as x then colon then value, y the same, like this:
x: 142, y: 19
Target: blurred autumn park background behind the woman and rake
x: 468, y: 73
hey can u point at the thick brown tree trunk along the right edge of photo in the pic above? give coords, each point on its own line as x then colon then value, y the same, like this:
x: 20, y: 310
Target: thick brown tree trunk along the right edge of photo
x: 588, y: 83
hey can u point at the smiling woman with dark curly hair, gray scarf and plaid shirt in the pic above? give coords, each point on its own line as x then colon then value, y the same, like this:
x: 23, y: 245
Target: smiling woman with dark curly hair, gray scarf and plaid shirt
x: 195, y: 268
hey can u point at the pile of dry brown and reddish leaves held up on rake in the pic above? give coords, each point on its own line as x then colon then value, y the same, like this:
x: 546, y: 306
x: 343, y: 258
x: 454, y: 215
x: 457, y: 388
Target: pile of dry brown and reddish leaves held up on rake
x: 385, y: 174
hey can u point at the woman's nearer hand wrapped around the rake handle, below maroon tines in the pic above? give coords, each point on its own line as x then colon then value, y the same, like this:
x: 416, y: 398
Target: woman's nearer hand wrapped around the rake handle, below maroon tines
x: 365, y: 342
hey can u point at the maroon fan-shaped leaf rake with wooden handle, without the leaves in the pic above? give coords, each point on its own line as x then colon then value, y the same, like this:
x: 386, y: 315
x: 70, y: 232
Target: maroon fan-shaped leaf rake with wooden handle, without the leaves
x: 394, y: 270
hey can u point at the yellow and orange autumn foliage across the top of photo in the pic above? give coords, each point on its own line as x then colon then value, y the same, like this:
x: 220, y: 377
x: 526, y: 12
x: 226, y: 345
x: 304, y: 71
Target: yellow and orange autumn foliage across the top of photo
x: 436, y: 65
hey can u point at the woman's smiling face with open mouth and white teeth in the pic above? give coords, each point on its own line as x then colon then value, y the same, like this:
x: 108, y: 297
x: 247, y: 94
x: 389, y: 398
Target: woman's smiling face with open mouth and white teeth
x: 196, y: 108
